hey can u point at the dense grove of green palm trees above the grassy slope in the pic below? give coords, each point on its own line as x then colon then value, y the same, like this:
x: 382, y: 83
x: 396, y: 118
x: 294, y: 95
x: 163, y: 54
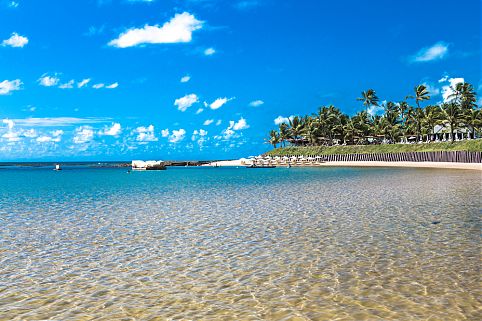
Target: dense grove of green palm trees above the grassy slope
x: 457, y: 118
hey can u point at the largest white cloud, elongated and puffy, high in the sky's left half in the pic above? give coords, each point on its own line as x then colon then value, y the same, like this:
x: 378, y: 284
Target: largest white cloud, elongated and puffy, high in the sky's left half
x: 178, y: 29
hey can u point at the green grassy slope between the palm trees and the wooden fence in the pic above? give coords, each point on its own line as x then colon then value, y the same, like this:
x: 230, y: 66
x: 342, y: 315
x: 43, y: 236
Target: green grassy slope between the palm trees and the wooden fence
x: 467, y: 145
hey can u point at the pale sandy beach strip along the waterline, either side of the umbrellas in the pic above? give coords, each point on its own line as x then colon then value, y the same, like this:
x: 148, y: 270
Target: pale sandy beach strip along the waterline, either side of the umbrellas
x: 446, y: 165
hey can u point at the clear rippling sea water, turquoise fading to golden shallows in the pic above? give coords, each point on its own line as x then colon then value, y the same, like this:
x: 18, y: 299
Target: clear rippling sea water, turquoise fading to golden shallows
x: 240, y: 244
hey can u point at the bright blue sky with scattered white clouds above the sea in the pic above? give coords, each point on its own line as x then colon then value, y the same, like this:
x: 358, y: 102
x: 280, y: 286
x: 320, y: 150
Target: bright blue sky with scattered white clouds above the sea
x: 204, y: 79
